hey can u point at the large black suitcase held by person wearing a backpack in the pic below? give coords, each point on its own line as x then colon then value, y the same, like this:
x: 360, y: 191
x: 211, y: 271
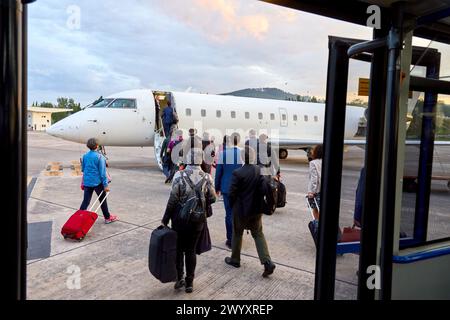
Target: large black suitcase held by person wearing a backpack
x: 162, y: 254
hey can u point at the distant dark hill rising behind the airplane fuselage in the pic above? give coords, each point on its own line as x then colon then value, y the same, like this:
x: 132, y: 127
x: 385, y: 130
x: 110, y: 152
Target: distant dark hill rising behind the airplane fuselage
x: 269, y: 93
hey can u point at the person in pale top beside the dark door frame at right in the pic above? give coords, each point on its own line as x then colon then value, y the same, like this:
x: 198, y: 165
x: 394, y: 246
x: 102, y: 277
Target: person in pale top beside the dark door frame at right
x: 315, y: 171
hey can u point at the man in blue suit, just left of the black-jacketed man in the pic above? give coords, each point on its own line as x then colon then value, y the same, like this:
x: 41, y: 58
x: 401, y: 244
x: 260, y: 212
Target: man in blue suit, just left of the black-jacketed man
x: 229, y: 160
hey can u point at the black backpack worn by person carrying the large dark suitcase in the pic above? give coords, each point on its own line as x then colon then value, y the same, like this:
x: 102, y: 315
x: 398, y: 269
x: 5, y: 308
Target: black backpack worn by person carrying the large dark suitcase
x: 194, y: 208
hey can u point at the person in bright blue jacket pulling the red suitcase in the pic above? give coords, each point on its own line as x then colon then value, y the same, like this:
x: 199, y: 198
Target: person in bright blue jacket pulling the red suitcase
x: 95, y: 178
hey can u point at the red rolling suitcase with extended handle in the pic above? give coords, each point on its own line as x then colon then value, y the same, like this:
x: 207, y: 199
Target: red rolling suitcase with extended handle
x: 81, y: 222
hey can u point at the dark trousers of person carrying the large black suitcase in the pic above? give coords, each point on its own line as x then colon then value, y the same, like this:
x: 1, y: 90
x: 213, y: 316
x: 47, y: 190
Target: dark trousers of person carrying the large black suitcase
x: 186, y: 245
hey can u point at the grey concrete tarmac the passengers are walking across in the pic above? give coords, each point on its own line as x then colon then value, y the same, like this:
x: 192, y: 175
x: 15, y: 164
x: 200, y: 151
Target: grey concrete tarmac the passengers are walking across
x: 112, y: 261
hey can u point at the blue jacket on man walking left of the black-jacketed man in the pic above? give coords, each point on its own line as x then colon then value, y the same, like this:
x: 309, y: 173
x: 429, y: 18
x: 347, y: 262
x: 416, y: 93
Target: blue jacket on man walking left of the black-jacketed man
x: 229, y: 160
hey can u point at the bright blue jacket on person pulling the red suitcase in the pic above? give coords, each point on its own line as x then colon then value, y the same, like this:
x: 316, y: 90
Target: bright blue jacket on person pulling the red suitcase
x: 94, y: 169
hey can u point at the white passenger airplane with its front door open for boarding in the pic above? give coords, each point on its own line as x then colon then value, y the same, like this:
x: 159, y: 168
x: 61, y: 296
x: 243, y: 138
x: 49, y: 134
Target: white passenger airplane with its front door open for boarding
x: 131, y: 118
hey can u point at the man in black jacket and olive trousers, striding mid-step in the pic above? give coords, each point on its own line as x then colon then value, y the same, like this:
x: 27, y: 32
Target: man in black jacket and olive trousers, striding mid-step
x: 246, y: 201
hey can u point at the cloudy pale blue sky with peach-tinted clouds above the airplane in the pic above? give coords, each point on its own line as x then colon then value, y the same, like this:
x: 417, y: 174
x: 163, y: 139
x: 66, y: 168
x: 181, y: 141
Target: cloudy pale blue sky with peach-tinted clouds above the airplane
x: 85, y: 49
